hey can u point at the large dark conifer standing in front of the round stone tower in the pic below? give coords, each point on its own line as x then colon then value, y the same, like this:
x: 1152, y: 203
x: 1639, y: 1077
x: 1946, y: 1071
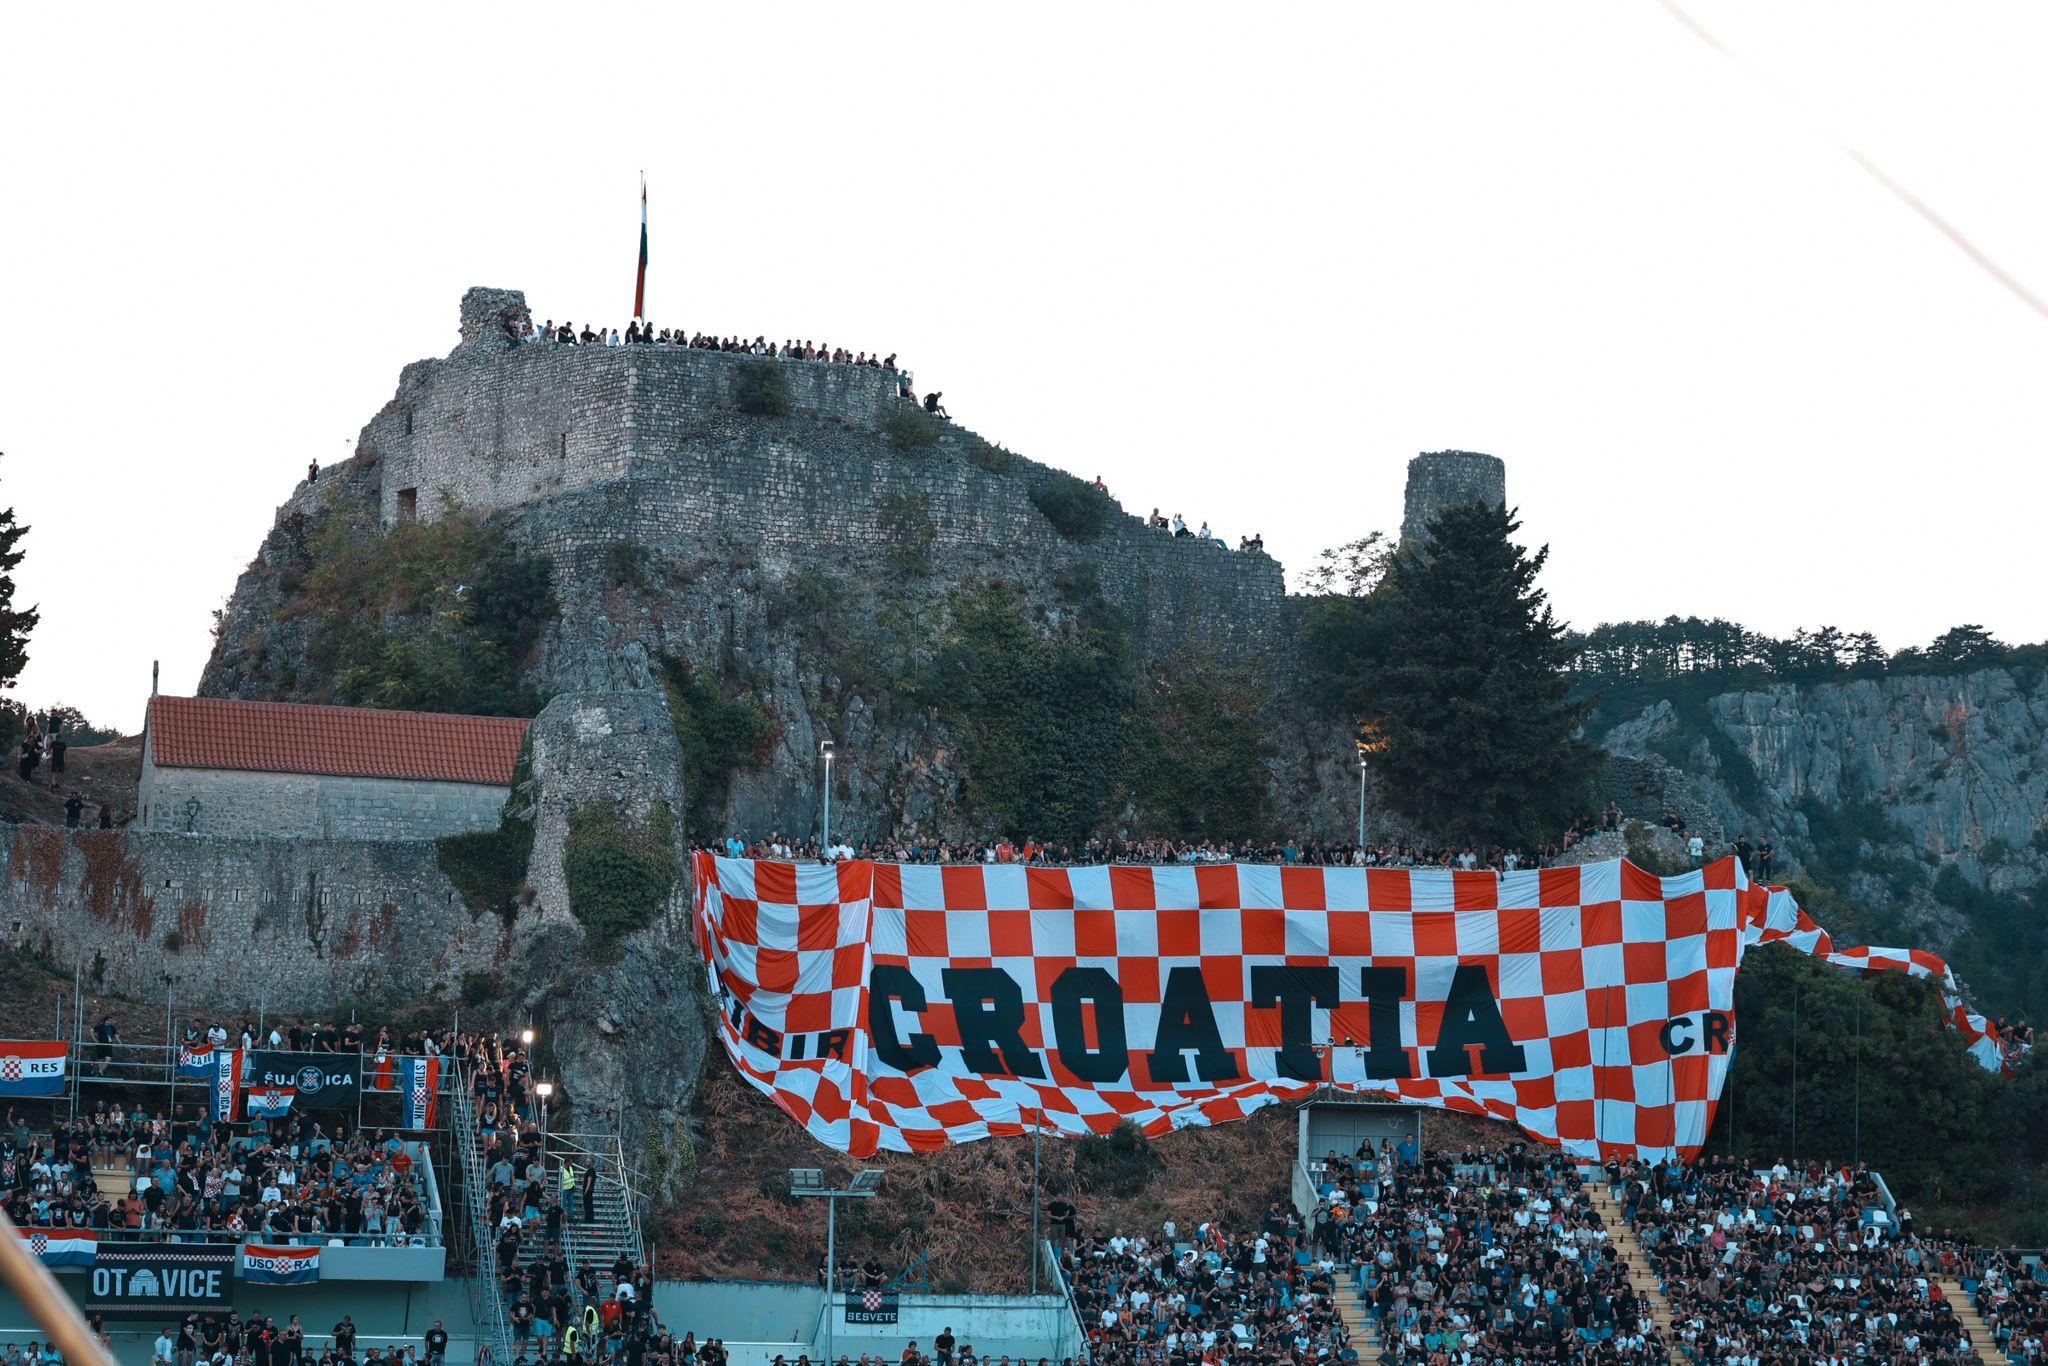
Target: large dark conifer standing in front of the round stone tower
x: 1480, y: 732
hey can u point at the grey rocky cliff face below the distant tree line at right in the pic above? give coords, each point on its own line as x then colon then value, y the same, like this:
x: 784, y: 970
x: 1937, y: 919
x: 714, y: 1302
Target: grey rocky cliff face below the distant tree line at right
x: 1922, y: 800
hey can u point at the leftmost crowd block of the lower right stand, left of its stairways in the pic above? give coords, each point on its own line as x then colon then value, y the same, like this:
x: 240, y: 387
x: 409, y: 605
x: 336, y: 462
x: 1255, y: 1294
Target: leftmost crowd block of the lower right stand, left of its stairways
x: 1242, y: 1297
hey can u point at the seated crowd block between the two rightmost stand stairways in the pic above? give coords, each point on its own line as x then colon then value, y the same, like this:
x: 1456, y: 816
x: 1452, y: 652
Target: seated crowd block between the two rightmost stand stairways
x: 1795, y: 1265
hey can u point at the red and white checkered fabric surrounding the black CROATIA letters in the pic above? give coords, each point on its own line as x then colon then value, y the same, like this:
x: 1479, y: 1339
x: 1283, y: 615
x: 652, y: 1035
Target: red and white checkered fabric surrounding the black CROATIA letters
x: 1590, y: 966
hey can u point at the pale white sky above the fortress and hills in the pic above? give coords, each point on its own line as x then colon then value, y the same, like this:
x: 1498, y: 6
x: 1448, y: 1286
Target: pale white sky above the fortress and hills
x: 1240, y: 261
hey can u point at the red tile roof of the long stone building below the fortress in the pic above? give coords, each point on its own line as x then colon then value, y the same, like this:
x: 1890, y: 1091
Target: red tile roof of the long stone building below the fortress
x: 353, y: 742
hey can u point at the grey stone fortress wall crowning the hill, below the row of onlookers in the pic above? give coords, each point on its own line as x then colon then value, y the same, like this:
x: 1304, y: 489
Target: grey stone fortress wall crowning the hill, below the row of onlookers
x: 644, y: 443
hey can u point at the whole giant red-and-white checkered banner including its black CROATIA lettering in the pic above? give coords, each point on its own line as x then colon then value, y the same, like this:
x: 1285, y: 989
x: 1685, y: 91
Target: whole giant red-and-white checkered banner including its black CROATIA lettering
x: 896, y: 1007
